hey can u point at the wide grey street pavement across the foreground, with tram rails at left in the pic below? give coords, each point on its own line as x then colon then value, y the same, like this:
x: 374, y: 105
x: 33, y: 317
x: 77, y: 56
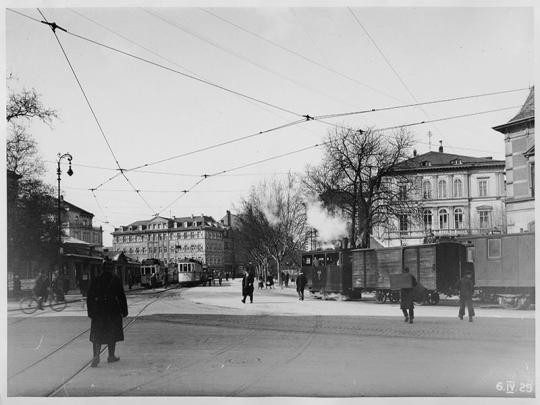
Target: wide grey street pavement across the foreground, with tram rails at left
x: 204, y: 354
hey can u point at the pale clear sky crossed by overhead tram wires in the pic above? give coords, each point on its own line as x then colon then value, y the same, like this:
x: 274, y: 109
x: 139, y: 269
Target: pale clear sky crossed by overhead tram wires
x: 295, y: 60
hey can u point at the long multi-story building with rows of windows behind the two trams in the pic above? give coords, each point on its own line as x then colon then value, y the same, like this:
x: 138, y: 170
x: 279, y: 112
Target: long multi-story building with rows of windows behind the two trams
x: 172, y: 239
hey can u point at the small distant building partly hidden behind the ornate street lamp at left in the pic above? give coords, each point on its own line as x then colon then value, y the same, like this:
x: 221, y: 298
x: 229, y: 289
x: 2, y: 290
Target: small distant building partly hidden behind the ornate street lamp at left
x: 77, y: 223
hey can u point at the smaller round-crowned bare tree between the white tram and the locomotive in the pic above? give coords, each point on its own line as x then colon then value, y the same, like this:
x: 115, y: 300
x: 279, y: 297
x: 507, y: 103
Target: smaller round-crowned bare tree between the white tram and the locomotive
x: 273, y: 221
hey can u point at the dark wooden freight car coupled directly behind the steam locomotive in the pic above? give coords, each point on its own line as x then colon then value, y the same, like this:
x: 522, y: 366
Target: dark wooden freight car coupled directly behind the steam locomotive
x: 436, y: 266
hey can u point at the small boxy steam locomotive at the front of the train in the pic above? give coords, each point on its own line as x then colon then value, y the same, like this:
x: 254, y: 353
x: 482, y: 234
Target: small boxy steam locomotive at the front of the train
x: 328, y: 271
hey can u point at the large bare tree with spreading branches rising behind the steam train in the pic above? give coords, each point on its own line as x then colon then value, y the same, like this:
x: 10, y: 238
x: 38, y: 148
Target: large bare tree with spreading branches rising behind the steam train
x: 357, y: 177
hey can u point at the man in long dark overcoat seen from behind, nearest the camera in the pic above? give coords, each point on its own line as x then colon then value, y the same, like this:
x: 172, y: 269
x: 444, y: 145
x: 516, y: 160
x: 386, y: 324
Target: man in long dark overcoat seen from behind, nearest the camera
x: 107, y: 305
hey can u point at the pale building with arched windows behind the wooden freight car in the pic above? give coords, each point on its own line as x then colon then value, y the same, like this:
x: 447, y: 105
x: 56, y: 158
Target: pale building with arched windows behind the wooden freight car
x: 457, y: 195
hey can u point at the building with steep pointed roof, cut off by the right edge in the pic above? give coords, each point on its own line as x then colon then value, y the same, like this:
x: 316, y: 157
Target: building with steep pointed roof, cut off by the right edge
x: 519, y: 152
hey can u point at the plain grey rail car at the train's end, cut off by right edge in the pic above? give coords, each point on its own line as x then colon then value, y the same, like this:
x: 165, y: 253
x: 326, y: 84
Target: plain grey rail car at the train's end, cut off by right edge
x: 504, y: 266
